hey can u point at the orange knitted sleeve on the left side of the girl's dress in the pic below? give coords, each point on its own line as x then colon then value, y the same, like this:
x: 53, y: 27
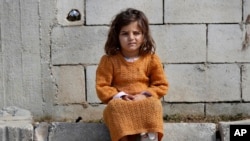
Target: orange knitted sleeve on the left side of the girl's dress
x: 104, y: 76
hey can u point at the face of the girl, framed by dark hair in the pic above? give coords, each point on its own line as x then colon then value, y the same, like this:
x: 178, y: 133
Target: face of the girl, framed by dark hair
x: 131, y: 39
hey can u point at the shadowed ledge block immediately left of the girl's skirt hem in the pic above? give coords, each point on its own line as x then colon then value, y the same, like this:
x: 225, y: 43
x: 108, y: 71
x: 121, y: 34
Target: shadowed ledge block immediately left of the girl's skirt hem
x: 78, y: 132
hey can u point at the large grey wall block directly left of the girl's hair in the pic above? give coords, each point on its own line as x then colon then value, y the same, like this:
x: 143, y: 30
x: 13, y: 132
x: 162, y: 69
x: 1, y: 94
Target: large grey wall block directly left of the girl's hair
x: 78, y: 45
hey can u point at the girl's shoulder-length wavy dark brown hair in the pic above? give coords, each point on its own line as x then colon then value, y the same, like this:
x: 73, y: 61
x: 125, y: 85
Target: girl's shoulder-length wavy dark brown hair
x: 112, y: 45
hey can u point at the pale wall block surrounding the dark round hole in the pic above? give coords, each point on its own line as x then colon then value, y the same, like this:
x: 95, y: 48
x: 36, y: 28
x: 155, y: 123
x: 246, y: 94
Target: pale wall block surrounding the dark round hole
x: 63, y: 9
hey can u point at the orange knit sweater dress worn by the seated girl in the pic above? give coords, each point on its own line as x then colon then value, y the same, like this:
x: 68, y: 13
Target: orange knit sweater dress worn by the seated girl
x: 114, y: 74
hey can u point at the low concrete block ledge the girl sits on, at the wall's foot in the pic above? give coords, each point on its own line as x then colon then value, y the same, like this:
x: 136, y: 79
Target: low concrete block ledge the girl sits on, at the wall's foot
x: 63, y: 131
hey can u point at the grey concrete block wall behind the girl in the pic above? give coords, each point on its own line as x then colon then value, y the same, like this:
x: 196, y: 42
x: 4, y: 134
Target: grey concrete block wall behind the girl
x: 47, y: 63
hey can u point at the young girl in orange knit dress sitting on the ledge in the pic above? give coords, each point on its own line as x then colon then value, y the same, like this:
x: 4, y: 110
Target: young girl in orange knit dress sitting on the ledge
x: 130, y: 80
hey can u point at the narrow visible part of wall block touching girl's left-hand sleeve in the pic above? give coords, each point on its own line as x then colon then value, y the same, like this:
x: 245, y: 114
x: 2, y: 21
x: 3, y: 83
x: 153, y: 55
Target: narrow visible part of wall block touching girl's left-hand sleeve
x: 91, y: 91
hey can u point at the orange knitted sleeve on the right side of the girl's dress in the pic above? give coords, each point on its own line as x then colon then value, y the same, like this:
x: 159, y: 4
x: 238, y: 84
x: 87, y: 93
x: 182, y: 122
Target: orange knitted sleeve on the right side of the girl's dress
x: 158, y: 82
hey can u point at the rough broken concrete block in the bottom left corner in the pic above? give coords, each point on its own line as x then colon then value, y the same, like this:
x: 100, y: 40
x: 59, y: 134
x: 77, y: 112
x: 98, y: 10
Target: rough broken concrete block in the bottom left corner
x: 16, y: 124
